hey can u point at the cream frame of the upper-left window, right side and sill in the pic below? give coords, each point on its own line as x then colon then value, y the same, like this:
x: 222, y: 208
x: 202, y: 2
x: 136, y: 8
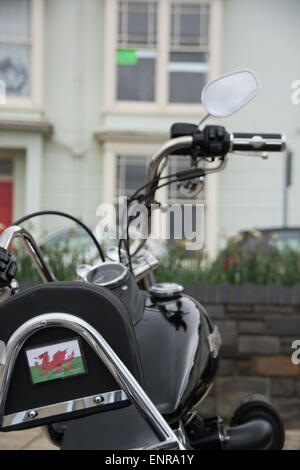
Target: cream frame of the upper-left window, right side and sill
x: 35, y: 100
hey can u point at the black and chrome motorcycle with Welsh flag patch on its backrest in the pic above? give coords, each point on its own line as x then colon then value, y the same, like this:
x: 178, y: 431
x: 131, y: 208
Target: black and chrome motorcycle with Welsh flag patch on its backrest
x: 113, y: 360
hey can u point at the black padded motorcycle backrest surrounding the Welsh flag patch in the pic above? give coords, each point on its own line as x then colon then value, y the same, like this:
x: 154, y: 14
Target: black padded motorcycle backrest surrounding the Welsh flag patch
x: 101, y: 309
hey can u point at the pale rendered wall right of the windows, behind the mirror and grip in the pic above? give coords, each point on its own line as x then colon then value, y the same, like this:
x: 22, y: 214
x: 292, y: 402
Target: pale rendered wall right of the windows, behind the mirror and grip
x: 262, y: 35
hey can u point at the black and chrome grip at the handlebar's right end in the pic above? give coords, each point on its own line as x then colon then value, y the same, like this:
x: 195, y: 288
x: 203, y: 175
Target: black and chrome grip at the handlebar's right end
x: 258, y: 142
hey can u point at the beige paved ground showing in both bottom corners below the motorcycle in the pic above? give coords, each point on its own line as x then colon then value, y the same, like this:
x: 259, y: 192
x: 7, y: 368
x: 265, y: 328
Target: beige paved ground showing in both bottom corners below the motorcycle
x: 34, y: 440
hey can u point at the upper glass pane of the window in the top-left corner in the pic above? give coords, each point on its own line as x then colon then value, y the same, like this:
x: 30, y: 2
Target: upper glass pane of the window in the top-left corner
x: 15, y: 20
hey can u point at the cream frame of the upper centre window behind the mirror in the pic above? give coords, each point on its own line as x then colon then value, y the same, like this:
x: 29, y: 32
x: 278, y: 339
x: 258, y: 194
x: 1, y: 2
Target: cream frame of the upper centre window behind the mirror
x: 162, y: 104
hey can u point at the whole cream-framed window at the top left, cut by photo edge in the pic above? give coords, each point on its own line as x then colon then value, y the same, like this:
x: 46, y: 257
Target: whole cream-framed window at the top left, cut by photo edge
x: 20, y: 50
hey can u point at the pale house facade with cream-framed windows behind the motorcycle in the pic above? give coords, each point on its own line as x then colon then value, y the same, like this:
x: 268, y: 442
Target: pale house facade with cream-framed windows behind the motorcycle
x: 92, y: 88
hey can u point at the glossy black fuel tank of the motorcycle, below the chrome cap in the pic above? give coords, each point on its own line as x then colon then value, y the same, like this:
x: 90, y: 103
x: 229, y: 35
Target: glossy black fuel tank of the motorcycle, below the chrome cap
x: 178, y: 362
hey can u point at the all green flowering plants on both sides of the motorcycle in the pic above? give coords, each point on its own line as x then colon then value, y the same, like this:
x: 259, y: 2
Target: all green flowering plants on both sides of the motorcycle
x: 235, y: 264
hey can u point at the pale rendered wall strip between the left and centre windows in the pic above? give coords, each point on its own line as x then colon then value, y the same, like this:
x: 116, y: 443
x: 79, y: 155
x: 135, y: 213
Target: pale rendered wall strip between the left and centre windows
x: 73, y: 83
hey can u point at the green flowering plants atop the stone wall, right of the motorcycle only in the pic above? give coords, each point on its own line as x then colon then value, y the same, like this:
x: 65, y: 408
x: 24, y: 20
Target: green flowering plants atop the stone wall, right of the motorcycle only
x: 236, y: 265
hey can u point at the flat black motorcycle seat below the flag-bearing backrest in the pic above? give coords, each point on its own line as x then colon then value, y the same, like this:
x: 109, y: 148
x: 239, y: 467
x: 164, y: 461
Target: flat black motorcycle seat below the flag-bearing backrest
x: 114, y: 430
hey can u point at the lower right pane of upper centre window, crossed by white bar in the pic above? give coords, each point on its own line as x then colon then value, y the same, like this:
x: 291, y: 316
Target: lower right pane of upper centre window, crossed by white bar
x: 188, y: 75
